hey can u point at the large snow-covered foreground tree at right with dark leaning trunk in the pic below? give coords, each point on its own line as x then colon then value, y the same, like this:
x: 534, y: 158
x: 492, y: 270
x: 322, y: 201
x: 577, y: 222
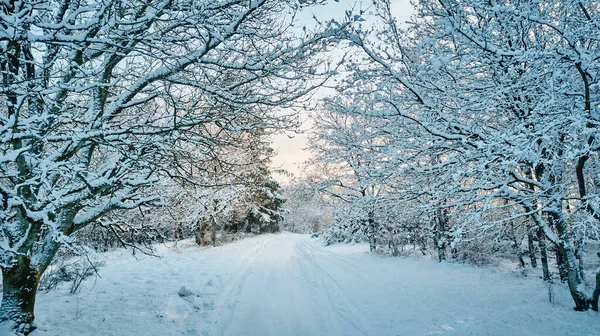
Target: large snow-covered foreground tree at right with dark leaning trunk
x: 494, y: 113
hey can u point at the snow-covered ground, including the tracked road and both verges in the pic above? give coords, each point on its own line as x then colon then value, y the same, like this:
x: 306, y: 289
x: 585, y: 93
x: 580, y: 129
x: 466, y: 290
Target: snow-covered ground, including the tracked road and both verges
x: 292, y: 285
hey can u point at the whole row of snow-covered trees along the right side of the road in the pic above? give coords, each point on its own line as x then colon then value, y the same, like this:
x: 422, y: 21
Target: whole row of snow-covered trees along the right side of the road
x: 473, y: 129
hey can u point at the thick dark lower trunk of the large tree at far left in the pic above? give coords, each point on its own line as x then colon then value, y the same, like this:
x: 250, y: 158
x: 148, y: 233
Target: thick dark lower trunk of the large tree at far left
x: 19, y: 287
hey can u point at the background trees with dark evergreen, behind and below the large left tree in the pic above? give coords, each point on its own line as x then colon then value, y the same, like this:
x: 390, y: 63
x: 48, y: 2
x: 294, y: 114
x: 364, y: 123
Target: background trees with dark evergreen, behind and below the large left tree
x: 230, y: 201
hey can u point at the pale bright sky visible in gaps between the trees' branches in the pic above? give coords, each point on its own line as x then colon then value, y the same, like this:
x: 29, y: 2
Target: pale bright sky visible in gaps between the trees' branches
x: 291, y: 152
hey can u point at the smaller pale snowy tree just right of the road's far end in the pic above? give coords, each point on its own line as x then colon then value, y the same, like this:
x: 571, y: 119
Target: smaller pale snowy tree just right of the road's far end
x: 349, y: 147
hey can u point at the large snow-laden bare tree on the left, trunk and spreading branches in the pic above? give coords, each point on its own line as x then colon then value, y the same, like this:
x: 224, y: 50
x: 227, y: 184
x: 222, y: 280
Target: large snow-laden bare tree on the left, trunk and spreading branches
x: 100, y: 97
